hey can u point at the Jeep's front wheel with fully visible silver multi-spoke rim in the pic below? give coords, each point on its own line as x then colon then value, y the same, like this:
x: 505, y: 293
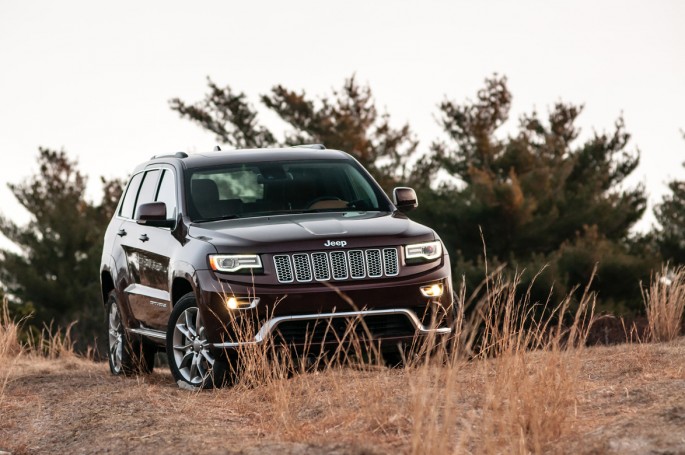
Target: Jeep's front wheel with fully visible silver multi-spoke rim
x: 191, y: 361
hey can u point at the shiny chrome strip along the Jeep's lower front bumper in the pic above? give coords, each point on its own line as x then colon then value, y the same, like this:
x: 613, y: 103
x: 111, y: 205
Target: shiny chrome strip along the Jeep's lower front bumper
x: 270, y: 325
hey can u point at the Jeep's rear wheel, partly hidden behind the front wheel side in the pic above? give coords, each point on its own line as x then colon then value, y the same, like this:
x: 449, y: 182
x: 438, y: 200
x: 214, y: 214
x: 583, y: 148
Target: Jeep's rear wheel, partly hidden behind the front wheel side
x: 127, y: 356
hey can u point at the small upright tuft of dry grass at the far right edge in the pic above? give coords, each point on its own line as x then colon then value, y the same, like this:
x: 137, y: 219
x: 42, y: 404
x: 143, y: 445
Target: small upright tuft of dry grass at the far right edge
x: 665, y: 304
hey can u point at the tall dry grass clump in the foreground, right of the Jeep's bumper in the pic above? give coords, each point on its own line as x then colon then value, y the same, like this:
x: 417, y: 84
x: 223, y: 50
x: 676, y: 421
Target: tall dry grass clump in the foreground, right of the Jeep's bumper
x: 527, y: 362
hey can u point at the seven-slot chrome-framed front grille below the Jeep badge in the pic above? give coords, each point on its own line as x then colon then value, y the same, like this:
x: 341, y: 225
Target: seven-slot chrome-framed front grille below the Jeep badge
x: 338, y: 265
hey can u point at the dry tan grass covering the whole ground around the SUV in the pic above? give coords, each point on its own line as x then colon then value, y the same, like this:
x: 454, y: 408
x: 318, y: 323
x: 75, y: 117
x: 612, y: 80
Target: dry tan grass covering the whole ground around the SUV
x: 523, y: 384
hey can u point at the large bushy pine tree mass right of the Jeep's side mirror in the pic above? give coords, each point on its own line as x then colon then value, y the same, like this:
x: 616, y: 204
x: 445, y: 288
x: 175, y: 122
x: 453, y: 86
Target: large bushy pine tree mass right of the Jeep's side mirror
x: 539, y: 196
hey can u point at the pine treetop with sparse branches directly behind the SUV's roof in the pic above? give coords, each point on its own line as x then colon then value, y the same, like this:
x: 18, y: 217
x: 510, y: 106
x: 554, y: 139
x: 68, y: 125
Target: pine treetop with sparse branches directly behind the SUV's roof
x: 347, y: 120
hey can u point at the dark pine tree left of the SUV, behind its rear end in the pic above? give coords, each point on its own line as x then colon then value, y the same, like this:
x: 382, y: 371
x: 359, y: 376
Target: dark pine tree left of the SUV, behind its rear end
x: 55, y: 272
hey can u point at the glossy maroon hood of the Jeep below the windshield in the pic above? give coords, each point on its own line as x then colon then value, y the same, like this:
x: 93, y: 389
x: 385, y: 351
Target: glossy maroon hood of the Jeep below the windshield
x: 312, y: 231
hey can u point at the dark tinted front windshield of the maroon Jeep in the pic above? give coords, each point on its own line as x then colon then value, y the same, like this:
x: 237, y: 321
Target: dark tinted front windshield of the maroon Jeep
x: 272, y: 188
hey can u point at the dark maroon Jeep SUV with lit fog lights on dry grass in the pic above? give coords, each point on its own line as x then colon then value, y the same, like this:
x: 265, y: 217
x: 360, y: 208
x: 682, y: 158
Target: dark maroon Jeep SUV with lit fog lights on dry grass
x: 288, y: 244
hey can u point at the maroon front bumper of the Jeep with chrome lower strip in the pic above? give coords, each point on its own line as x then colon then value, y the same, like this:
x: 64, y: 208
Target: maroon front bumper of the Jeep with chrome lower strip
x: 383, y: 310
